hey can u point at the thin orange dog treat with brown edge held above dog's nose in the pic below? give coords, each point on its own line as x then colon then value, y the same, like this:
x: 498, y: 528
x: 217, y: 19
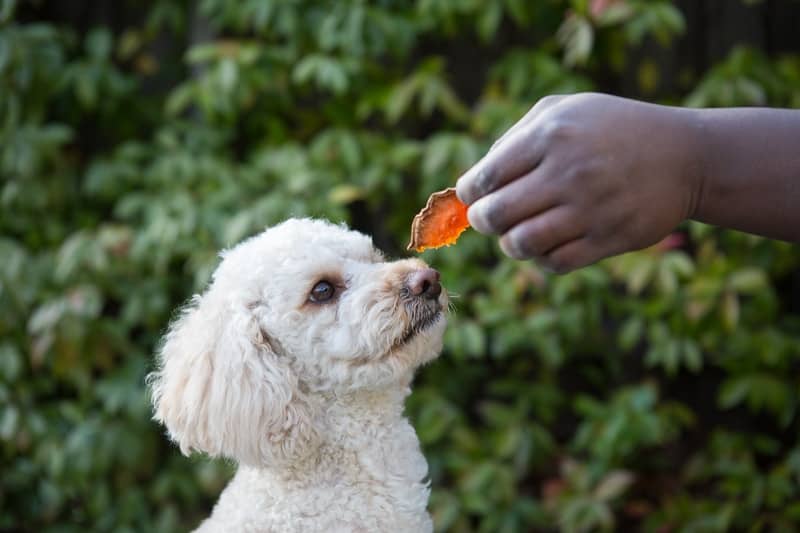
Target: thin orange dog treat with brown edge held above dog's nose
x: 440, y: 223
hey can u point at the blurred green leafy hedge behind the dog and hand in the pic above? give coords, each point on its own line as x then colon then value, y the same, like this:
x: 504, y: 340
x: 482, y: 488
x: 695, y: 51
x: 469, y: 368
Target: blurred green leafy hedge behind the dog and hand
x: 657, y: 391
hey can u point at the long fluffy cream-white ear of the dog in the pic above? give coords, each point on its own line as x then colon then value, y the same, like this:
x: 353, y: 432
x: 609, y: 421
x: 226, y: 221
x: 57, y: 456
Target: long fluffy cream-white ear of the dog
x: 221, y: 389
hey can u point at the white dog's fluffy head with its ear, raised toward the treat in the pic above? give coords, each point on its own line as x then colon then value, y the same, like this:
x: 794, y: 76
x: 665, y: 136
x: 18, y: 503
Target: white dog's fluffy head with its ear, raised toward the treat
x: 306, y: 307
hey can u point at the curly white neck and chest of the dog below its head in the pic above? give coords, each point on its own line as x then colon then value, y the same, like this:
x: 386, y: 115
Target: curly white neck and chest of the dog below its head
x: 369, y: 458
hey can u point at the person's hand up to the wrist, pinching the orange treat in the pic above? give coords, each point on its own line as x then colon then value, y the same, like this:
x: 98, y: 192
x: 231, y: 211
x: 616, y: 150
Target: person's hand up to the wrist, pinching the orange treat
x: 583, y: 177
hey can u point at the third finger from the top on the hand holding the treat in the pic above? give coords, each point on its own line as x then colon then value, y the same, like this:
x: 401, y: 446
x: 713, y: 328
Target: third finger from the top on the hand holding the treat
x: 540, y: 235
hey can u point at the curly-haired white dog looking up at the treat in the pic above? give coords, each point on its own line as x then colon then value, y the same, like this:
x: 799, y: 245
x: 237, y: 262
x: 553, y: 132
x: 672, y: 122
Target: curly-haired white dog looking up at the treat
x: 295, y: 362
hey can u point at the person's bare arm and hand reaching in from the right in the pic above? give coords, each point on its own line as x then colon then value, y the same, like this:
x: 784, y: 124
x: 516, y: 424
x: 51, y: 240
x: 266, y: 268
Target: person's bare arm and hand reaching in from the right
x: 587, y: 176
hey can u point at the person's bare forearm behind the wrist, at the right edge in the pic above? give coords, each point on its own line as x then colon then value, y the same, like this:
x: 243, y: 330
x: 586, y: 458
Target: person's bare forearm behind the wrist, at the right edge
x: 749, y: 170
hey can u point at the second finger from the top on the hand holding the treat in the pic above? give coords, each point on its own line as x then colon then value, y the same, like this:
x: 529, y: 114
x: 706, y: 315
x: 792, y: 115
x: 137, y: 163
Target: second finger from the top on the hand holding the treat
x: 523, y: 198
